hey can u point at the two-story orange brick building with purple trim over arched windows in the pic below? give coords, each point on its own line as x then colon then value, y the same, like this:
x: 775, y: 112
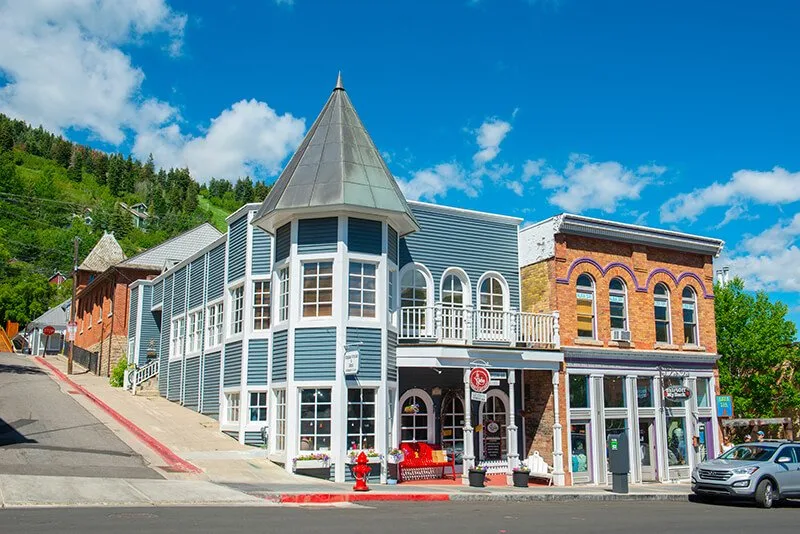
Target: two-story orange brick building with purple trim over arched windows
x: 636, y: 317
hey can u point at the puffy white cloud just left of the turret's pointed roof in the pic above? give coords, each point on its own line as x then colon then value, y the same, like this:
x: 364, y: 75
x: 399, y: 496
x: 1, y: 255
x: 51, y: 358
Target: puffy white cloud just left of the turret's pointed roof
x: 249, y: 138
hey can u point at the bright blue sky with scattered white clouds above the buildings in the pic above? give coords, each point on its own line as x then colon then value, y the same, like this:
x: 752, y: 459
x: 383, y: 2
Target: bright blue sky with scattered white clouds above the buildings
x: 681, y: 115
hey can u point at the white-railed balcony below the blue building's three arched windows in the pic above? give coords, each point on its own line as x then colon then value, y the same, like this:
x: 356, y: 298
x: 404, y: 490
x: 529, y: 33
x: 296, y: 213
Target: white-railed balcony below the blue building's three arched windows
x: 467, y: 326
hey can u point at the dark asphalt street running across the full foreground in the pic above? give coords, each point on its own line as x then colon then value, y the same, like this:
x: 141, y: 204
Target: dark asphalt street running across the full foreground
x: 407, y: 518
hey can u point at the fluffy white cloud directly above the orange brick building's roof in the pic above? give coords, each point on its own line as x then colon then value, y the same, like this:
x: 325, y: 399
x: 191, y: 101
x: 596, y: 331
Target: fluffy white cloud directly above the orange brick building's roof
x: 585, y: 185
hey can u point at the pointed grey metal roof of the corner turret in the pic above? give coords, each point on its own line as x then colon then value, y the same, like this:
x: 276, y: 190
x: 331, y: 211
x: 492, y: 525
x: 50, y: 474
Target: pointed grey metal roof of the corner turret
x: 337, y: 165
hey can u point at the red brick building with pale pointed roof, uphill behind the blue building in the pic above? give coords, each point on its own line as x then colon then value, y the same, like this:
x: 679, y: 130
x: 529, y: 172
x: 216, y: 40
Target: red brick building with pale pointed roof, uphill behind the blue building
x: 102, y: 300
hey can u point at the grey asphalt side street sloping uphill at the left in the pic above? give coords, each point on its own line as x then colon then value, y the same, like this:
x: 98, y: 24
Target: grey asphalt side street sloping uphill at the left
x: 44, y: 431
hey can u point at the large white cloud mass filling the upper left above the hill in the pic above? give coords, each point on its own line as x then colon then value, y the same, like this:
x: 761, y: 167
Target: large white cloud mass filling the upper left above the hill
x: 66, y: 69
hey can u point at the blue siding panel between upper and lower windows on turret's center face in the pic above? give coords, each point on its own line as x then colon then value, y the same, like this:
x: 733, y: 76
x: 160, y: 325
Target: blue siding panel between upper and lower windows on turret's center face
x: 315, y: 354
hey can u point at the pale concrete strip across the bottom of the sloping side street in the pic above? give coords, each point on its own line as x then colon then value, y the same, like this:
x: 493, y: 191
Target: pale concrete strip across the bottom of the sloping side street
x: 18, y: 491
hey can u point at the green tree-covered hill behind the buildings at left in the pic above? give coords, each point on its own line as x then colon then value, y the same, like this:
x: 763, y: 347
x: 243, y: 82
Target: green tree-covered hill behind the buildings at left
x: 52, y: 190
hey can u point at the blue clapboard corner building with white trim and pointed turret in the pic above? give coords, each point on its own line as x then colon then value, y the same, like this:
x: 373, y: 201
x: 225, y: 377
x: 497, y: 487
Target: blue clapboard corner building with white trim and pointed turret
x: 337, y: 316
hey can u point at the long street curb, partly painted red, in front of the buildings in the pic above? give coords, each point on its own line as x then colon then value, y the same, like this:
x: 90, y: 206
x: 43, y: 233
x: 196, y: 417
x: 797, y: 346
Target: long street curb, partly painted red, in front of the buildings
x: 331, y: 498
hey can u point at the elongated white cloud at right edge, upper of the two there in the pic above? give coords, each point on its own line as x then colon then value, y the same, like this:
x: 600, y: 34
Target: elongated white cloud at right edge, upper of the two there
x: 774, y: 187
